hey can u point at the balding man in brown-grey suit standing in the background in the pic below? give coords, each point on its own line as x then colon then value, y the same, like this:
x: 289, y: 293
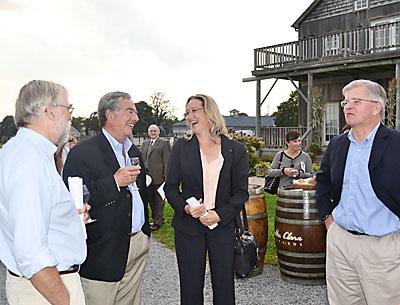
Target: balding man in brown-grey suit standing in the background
x: 156, y: 153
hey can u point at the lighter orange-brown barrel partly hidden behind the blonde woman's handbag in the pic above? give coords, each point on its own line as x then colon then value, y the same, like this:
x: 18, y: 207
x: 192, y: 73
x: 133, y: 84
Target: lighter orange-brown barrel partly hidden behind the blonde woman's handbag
x: 258, y: 224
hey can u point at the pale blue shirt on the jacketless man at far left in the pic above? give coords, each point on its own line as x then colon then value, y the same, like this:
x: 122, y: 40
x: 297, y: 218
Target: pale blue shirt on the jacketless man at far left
x: 39, y: 224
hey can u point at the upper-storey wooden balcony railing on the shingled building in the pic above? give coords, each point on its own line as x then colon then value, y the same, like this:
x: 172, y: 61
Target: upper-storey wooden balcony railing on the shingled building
x: 379, y: 38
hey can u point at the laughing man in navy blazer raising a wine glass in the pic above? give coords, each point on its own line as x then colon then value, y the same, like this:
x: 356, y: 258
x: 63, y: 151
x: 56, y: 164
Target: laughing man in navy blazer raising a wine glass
x: 118, y: 241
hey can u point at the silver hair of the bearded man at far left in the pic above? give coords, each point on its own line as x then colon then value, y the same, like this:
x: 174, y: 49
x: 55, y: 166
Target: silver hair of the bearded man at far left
x: 34, y: 96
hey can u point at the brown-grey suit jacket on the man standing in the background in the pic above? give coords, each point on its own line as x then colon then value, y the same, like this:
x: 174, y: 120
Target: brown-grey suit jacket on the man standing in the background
x: 157, y: 159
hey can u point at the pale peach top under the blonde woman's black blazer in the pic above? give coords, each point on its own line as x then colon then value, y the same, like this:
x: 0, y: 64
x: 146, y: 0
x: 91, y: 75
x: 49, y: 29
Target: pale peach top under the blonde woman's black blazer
x: 211, y: 172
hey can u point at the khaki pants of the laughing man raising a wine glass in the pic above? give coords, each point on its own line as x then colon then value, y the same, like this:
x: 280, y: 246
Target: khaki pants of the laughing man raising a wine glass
x: 128, y: 290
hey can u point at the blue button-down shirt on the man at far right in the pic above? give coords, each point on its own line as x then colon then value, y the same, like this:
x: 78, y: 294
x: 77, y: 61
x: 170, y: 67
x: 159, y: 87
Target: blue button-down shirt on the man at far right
x: 359, y: 209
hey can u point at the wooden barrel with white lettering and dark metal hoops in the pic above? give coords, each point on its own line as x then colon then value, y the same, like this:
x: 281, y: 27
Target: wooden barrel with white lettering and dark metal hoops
x: 300, y: 238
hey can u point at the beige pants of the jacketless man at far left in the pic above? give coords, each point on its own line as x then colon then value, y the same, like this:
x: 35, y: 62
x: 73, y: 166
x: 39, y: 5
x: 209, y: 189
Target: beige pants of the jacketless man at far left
x: 20, y: 290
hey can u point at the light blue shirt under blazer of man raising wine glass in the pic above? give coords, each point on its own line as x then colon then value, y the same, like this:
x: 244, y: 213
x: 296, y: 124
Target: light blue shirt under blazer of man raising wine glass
x: 137, y: 203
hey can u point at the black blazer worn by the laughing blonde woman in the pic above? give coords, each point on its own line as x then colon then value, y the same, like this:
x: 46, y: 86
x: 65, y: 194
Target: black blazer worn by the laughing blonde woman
x: 185, y: 170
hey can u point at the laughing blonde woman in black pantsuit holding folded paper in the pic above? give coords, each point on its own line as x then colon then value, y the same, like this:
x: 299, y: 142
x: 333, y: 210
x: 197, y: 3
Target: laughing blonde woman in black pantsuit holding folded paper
x: 213, y: 169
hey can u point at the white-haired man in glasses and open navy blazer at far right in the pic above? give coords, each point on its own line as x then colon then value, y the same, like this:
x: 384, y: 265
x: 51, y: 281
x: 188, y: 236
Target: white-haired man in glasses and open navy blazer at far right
x: 358, y: 197
